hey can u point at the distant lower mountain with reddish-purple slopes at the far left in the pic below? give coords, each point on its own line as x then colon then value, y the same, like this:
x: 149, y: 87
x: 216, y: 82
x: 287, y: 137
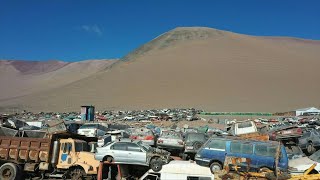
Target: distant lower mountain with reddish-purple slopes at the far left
x: 20, y: 78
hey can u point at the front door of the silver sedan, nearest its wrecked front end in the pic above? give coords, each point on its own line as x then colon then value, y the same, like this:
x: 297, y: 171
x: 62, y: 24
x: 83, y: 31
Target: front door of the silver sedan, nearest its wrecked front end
x: 136, y: 155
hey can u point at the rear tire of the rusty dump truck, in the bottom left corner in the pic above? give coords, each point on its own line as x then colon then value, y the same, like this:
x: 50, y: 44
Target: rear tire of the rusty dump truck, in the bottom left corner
x: 9, y: 171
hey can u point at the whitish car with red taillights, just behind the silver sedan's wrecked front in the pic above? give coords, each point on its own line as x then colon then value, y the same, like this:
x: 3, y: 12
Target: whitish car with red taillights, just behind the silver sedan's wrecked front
x: 171, y: 140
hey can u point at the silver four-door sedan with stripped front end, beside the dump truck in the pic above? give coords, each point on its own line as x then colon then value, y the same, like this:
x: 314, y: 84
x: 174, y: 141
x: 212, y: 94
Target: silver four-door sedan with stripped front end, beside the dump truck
x: 133, y: 152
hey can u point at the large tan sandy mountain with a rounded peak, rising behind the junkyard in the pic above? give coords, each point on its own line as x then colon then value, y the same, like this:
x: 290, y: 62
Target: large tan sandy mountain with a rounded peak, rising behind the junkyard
x: 197, y: 67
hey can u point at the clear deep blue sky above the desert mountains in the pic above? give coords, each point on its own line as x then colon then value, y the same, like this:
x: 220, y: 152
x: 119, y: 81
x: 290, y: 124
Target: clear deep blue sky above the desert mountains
x: 85, y: 29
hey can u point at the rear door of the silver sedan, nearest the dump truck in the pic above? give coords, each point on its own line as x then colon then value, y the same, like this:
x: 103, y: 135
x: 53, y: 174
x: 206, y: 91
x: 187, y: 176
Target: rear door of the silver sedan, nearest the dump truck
x: 119, y: 152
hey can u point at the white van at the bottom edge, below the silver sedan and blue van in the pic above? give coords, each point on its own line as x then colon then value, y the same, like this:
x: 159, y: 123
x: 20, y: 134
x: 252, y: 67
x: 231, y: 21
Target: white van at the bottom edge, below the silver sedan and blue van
x: 180, y: 170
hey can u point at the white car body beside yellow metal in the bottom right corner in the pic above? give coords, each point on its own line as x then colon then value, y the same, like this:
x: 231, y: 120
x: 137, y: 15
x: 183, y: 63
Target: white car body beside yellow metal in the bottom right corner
x: 300, y: 165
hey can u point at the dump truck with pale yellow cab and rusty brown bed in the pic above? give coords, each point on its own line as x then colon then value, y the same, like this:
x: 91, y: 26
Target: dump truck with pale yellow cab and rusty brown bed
x: 58, y: 155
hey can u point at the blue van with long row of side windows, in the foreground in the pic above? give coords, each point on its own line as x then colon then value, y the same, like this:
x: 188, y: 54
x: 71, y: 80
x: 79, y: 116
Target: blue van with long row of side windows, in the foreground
x: 261, y: 153
